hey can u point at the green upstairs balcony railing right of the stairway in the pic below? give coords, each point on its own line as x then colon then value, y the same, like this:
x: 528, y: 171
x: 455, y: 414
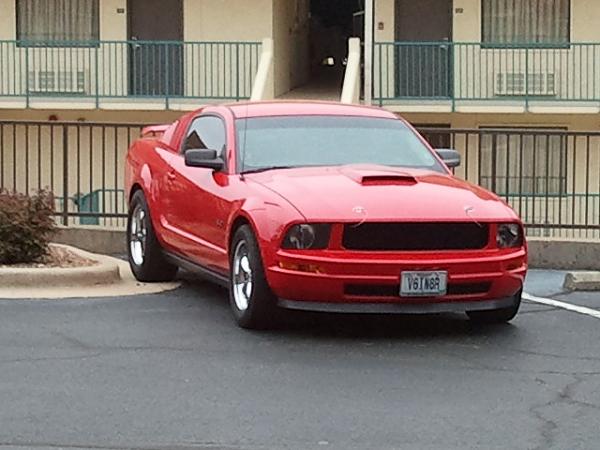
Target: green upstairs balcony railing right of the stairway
x: 476, y: 72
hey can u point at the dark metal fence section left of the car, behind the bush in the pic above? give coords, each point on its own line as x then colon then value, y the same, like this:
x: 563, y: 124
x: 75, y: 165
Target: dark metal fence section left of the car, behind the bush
x: 81, y: 163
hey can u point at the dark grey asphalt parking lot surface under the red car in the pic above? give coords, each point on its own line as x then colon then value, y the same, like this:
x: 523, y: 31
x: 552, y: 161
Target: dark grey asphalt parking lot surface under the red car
x: 172, y: 371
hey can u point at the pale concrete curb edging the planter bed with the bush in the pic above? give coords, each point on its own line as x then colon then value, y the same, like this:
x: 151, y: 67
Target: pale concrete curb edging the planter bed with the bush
x: 105, y: 271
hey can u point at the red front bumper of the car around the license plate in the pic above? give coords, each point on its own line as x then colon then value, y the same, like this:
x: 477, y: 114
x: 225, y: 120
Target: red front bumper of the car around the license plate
x: 324, y: 280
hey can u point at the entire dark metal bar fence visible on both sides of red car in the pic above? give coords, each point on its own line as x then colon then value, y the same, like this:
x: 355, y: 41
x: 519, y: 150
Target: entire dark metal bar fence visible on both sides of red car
x: 550, y: 177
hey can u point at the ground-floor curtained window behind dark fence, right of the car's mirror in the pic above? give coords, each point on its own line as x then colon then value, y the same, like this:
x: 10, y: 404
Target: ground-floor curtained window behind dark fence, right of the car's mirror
x: 522, y: 164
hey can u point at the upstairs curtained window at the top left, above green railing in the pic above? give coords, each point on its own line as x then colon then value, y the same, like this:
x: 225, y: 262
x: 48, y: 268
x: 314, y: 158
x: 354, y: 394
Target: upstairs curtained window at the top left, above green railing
x: 65, y: 21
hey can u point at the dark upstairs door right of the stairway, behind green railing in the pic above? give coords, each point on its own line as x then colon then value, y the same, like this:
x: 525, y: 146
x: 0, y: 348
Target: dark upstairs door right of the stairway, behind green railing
x: 423, y: 68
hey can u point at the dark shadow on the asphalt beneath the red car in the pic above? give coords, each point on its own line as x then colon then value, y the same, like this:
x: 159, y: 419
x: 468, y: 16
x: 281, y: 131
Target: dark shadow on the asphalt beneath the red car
x: 288, y: 323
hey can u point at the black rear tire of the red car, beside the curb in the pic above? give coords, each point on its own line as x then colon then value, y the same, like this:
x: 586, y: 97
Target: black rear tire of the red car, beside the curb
x: 153, y: 266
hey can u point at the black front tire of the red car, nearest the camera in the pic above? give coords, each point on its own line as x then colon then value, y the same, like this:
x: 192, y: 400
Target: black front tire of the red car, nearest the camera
x: 260, y: 312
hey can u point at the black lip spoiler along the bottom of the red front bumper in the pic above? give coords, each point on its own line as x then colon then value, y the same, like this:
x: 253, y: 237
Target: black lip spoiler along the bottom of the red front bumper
x: 398, y: 307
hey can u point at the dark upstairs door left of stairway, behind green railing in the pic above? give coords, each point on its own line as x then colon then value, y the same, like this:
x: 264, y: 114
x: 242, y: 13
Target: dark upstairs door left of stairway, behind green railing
x: 155, y: 49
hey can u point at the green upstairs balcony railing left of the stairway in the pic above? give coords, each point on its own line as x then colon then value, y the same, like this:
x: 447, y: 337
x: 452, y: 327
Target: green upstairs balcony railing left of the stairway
x: 104, y: 71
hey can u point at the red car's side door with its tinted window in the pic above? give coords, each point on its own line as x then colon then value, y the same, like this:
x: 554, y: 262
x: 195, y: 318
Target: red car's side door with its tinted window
x: 199, y: 208
